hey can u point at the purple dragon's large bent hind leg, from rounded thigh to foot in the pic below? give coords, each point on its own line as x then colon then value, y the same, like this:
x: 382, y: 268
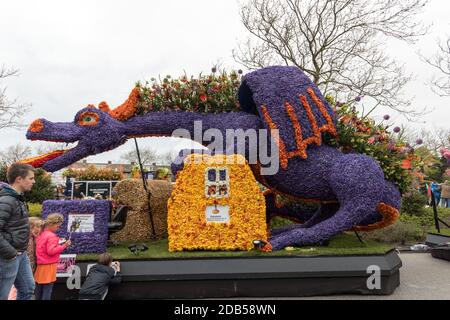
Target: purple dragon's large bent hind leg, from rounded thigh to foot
x: 359, y: 185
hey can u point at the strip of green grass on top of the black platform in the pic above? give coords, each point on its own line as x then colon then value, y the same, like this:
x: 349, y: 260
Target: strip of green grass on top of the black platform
x: 345, y: 244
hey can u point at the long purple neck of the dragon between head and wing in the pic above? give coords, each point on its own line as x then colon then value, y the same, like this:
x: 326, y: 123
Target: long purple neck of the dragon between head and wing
x: 164, y: 123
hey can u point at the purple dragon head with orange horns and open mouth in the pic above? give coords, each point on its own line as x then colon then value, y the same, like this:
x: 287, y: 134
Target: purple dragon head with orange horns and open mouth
x: 94, y: 130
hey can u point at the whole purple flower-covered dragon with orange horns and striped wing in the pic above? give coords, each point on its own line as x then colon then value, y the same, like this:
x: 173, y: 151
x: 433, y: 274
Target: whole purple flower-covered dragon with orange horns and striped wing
x: 351, y: 188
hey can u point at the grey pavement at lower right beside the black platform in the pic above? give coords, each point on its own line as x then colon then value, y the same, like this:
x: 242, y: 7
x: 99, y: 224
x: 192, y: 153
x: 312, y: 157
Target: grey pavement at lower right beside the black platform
x: 421, y: 277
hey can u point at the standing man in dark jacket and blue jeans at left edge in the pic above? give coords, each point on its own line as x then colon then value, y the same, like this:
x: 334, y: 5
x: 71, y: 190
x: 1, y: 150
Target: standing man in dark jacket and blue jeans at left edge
x: 14, y: 233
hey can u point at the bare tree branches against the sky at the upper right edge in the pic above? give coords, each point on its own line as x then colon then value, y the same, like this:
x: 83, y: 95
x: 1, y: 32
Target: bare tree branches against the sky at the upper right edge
x: 441, y: 61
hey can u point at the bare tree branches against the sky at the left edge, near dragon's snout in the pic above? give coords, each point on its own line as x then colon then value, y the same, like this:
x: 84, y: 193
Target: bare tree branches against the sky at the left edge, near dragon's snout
x: 10, y: 111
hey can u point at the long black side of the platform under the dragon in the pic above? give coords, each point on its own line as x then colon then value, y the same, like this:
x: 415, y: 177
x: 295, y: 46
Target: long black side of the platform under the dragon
x: 248, y: 277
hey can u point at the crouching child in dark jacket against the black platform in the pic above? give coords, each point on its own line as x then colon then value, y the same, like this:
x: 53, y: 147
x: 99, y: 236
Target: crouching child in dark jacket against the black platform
x: 100, y: 276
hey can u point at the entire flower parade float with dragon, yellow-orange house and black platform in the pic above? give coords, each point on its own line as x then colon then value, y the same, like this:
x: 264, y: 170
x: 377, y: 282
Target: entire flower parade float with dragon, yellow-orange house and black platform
x: 352, y: 191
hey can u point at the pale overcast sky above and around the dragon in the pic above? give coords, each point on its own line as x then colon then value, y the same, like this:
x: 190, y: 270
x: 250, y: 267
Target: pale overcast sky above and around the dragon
x: 74, y: 53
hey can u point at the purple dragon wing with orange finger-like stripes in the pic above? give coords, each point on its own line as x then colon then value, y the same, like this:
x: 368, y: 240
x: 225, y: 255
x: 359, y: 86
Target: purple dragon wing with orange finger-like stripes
x: 288, y: 101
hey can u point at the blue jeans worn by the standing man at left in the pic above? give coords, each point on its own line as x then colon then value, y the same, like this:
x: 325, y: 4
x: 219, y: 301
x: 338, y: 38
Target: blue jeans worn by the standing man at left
x: 17, y: 272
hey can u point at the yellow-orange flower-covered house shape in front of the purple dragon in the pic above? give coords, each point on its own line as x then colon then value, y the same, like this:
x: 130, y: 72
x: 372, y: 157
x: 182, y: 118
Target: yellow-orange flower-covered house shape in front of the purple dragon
x: 187, y: 218
